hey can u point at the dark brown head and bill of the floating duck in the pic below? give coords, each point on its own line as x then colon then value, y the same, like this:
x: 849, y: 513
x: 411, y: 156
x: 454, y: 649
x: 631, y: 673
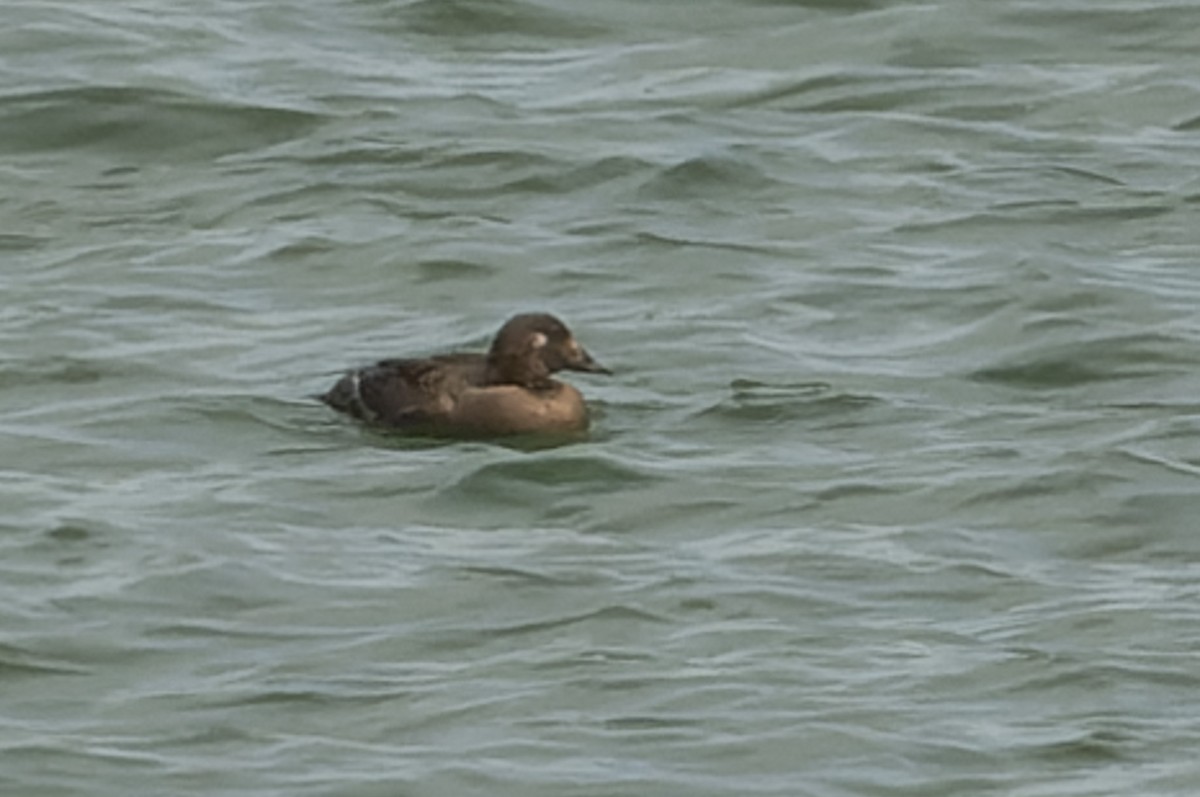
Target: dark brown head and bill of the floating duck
x: 533, y: 346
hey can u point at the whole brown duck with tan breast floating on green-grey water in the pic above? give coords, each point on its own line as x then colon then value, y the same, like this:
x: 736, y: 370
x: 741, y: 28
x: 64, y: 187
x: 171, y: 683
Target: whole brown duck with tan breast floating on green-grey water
x: 508, y: 391
